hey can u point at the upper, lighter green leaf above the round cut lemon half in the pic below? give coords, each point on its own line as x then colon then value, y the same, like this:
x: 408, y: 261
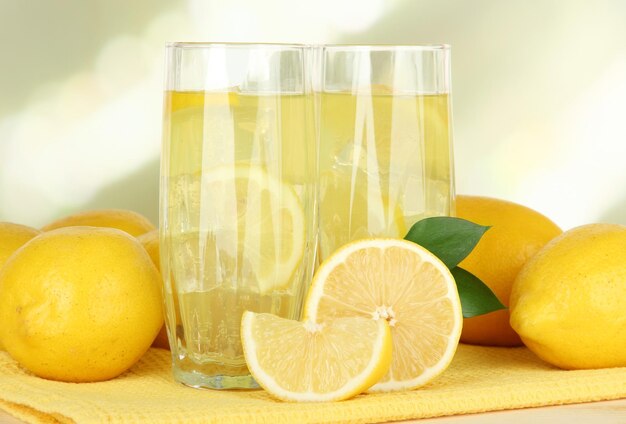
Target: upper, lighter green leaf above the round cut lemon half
x: 450, y: 239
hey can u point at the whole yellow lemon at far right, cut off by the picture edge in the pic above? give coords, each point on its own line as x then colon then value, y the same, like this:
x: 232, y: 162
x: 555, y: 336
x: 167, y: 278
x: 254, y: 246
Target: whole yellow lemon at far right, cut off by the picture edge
x: 569, y: 301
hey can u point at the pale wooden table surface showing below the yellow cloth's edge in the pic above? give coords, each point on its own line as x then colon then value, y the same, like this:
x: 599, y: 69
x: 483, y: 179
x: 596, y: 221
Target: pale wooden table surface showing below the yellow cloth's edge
x: 609, y: 412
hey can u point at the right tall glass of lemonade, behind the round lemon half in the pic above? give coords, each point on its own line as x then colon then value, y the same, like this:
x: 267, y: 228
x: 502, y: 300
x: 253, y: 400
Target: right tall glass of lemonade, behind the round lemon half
x: 386, y: 141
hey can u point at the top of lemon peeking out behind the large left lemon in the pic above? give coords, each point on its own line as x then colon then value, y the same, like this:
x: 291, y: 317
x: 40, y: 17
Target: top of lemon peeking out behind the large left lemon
x: 132, y: 222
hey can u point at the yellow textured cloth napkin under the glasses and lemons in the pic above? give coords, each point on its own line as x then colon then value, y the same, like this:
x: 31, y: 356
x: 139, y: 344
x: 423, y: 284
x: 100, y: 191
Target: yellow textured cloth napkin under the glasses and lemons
x: 479, y: 379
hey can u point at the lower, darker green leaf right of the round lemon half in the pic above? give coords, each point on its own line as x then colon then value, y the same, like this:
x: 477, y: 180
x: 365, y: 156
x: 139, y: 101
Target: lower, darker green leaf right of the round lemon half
x: 476, y: 297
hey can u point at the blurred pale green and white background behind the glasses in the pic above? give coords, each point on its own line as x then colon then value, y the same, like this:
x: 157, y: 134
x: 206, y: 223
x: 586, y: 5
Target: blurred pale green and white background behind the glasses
x: 539, y: 93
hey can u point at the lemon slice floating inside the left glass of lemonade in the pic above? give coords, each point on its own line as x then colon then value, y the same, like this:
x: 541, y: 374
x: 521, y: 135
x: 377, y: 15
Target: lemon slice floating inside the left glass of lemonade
x: 247, y: 225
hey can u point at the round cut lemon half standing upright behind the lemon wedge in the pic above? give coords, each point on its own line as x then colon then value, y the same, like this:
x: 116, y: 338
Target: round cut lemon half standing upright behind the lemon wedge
x: 404, y: 284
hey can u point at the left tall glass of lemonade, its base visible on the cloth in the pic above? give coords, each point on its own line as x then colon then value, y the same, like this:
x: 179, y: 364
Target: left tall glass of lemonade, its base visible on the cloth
x: 238, y: 204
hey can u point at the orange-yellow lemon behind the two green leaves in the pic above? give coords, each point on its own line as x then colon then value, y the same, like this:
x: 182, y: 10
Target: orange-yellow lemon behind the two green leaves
x: 516, y: 234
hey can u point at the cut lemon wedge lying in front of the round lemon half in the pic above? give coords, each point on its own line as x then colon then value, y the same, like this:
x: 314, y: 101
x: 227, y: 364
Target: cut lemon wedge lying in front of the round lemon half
x: 303, y: 361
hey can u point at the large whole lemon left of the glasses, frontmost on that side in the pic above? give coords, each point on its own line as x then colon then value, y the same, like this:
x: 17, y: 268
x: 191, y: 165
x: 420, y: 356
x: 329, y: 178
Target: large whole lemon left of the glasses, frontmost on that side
x: 79, y: 304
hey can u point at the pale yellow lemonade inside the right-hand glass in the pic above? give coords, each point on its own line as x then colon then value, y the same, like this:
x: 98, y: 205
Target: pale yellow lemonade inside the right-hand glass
x: 385, y: 163
